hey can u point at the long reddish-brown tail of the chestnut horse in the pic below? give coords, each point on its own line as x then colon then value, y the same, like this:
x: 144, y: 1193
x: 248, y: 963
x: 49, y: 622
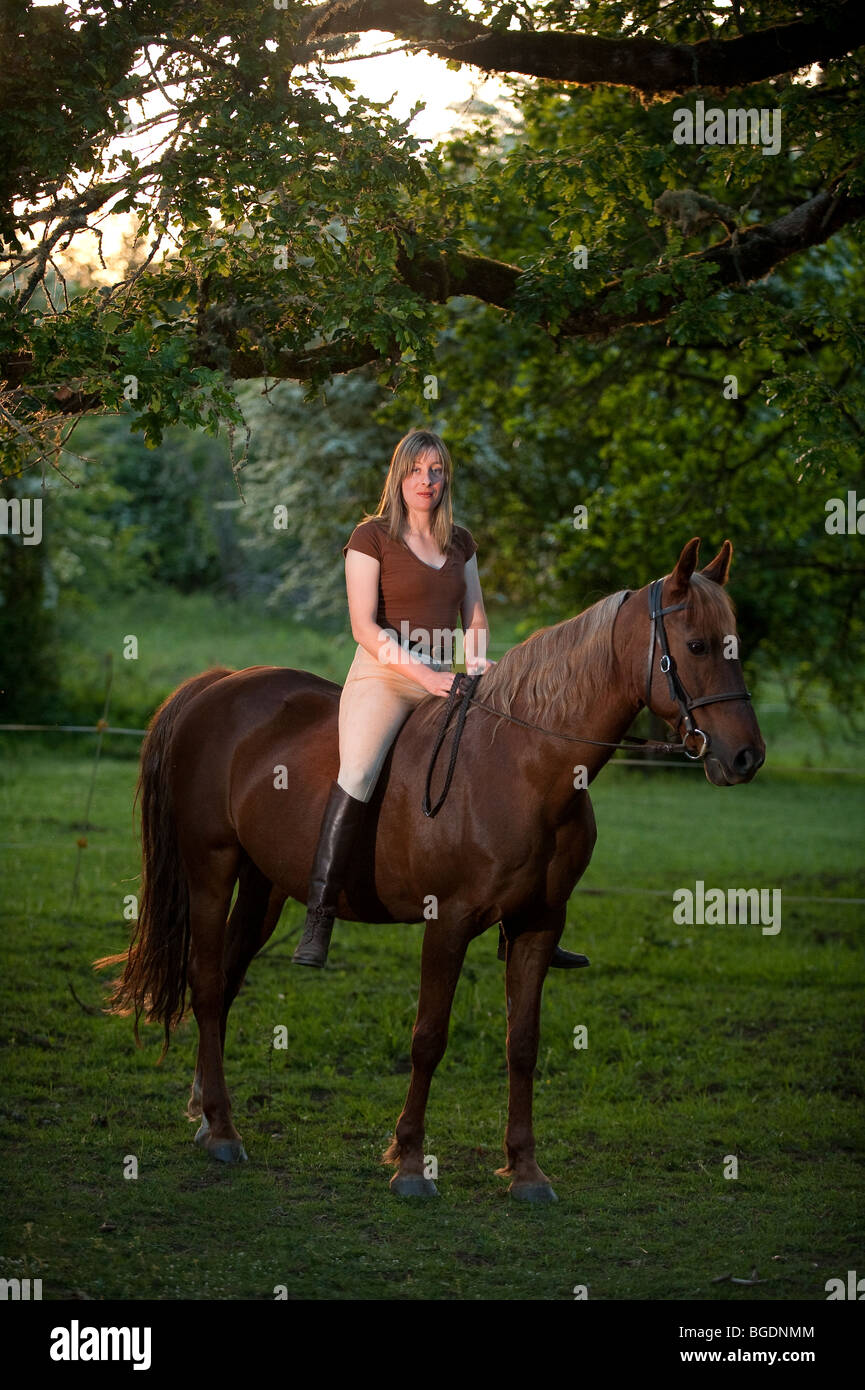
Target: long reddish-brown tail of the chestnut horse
x: 154, y: 982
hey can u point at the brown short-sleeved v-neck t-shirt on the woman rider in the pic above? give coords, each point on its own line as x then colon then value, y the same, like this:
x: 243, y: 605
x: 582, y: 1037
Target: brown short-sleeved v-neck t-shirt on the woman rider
x: 410, y: 590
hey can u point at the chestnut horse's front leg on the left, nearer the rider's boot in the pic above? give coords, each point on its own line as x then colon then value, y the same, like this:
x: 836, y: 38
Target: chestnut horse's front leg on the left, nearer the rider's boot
x: 444, y: 951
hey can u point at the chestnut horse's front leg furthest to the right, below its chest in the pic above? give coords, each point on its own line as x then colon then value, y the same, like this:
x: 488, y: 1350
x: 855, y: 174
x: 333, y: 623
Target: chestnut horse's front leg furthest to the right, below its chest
x: 529, y: 957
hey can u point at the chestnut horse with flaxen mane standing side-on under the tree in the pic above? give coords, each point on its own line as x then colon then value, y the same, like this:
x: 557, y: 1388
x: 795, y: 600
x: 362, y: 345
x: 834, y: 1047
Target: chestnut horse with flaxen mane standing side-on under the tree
x: 237, y: 768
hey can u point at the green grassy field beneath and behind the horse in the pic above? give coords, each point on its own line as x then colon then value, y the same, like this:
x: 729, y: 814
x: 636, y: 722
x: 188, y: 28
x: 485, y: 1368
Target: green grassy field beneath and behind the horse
x: 703, y: 1043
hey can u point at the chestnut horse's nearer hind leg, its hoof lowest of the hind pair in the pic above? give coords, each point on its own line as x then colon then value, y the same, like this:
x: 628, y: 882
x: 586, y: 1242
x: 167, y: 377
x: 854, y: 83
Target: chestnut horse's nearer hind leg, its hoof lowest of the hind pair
x: 211, y: 893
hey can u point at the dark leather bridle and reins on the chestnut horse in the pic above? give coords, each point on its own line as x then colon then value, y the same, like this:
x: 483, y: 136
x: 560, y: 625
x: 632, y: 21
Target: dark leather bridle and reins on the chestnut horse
x: 465, y: 687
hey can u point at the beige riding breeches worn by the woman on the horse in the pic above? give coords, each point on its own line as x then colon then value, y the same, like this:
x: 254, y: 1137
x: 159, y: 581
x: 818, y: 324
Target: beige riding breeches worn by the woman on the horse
x: 375, y: 705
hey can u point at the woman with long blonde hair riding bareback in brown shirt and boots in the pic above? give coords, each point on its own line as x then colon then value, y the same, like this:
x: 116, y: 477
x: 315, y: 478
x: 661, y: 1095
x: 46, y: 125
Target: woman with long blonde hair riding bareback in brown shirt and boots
x: 408, y: 573
